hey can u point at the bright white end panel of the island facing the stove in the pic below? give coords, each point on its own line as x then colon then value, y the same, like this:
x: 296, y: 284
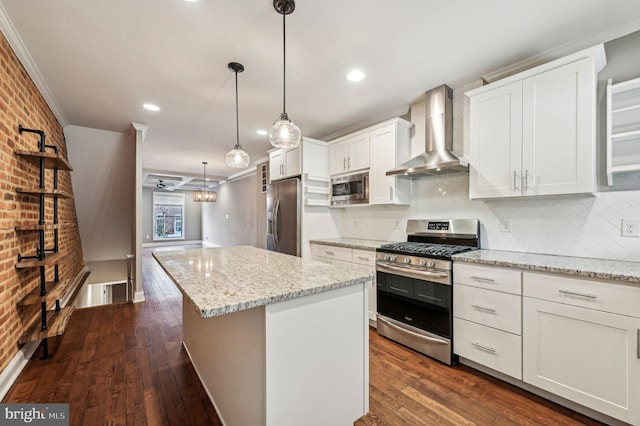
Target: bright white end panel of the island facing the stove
x: 317, y: 359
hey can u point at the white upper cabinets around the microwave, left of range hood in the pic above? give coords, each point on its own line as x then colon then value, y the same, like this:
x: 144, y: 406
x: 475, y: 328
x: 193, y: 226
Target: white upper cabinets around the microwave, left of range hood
x: 378, y: 148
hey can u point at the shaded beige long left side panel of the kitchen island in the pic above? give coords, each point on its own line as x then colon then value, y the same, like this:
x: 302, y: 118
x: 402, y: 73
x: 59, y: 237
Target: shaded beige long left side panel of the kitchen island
x: 228, y: 353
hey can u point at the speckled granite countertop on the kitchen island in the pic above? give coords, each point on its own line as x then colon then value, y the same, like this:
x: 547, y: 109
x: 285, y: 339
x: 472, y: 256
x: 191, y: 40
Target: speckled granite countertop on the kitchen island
x: 218, y: 281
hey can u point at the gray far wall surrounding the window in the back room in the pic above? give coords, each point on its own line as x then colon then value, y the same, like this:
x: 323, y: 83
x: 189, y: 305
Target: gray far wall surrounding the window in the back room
x: 192, y: 219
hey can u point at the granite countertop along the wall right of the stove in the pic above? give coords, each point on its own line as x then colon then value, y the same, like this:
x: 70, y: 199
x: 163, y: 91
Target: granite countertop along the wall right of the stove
x: 613, y: 270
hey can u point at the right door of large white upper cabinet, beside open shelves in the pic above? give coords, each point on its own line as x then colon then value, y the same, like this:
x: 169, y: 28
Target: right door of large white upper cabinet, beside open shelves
x: 559, y: 131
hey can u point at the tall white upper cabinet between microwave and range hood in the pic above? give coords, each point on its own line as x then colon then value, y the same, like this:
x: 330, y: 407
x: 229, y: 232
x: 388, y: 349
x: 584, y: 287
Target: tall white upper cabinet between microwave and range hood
x: 390, y: 146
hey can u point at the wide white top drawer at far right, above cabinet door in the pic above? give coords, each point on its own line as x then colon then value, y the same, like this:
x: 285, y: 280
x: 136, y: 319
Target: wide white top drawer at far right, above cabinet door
x: 607, y: 297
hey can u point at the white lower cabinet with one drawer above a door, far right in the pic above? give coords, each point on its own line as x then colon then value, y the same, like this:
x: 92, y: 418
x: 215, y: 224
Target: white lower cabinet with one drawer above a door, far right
x: 578, y: 345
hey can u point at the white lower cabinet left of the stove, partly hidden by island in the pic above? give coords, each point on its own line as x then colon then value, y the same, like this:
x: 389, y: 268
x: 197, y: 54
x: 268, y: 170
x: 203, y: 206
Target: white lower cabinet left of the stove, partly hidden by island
x: 356, y: 259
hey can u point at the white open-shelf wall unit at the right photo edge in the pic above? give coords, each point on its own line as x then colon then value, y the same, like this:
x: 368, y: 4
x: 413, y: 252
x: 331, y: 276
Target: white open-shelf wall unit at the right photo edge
x: 623, y: 128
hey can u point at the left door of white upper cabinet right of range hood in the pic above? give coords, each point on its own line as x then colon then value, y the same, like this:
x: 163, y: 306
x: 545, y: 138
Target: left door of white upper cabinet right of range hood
x: 496, y: 143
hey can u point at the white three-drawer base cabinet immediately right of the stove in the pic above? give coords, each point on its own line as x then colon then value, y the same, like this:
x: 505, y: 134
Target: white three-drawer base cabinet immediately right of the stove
x: 487, y: 310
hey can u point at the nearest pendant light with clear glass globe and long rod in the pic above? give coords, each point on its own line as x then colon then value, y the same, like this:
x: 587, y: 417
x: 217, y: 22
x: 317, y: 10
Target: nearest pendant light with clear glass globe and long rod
x: 284, y: 133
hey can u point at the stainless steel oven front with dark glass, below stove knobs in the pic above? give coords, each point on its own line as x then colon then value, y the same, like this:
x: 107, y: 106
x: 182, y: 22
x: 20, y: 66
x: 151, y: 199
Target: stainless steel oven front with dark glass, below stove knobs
x: 416, y: 313
